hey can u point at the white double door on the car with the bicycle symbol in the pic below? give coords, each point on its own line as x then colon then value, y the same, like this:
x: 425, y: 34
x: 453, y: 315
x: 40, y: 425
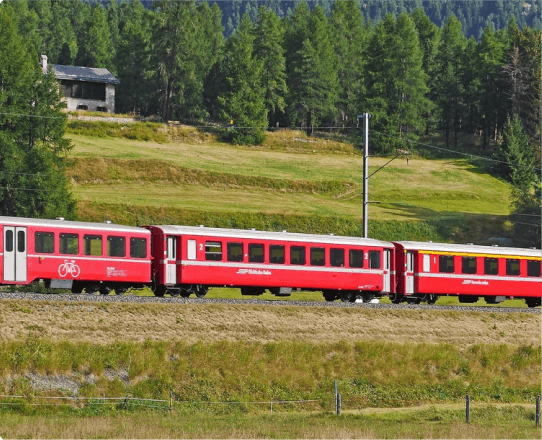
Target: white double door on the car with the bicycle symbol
x: 15, y: 253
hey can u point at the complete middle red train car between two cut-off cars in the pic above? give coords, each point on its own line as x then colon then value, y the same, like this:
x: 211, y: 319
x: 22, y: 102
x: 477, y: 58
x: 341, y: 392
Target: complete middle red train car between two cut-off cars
x: 189, y: 260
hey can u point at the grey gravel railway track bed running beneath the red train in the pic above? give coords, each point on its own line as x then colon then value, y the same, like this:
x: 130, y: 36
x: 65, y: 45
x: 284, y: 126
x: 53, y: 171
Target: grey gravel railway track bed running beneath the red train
x: 74, y: 298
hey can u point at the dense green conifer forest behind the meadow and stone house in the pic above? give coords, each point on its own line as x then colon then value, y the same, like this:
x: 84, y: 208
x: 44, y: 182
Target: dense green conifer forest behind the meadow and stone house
x: 290, y: 64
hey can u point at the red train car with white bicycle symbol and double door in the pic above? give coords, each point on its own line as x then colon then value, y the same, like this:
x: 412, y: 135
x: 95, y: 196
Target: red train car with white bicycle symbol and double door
x: 74, y: 255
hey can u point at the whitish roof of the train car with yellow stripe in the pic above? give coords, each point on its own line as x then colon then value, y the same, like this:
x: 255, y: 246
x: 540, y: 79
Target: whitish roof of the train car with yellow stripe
x: 469, y: 248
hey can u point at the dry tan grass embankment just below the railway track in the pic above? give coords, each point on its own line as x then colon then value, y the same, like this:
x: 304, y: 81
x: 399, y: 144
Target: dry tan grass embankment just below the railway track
x: 102, y: 321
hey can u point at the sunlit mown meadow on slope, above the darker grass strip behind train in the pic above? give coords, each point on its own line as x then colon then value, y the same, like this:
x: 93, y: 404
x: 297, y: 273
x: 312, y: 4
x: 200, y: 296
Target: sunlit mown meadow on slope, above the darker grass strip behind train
x: 320, y: 178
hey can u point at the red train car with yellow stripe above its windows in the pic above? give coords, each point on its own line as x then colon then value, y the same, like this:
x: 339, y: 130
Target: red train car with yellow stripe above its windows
x: 426, y: 271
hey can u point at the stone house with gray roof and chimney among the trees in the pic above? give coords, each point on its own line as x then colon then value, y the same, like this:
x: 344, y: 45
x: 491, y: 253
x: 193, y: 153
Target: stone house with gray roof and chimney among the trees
x: 85, y: 88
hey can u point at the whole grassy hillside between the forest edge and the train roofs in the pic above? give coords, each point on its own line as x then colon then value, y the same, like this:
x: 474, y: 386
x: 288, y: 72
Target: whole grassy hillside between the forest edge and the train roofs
x: 180, y: 175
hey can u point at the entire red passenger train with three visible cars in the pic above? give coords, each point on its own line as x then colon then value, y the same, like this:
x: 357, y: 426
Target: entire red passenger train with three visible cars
x: 182, y: 260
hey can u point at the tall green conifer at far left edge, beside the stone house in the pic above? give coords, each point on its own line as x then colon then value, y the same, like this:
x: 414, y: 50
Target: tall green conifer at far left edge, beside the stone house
x: 32, y: 147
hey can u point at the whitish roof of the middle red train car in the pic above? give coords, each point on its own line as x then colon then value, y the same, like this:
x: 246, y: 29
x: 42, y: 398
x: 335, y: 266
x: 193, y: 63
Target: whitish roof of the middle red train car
x: 265, y: 235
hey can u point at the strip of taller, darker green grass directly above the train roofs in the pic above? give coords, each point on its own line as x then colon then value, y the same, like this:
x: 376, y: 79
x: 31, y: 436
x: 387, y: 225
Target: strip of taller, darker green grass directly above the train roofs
x: 452, y: 228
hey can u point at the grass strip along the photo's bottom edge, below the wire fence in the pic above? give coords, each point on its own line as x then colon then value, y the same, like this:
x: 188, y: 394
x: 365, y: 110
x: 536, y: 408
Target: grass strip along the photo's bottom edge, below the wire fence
x: 488, y: 423
